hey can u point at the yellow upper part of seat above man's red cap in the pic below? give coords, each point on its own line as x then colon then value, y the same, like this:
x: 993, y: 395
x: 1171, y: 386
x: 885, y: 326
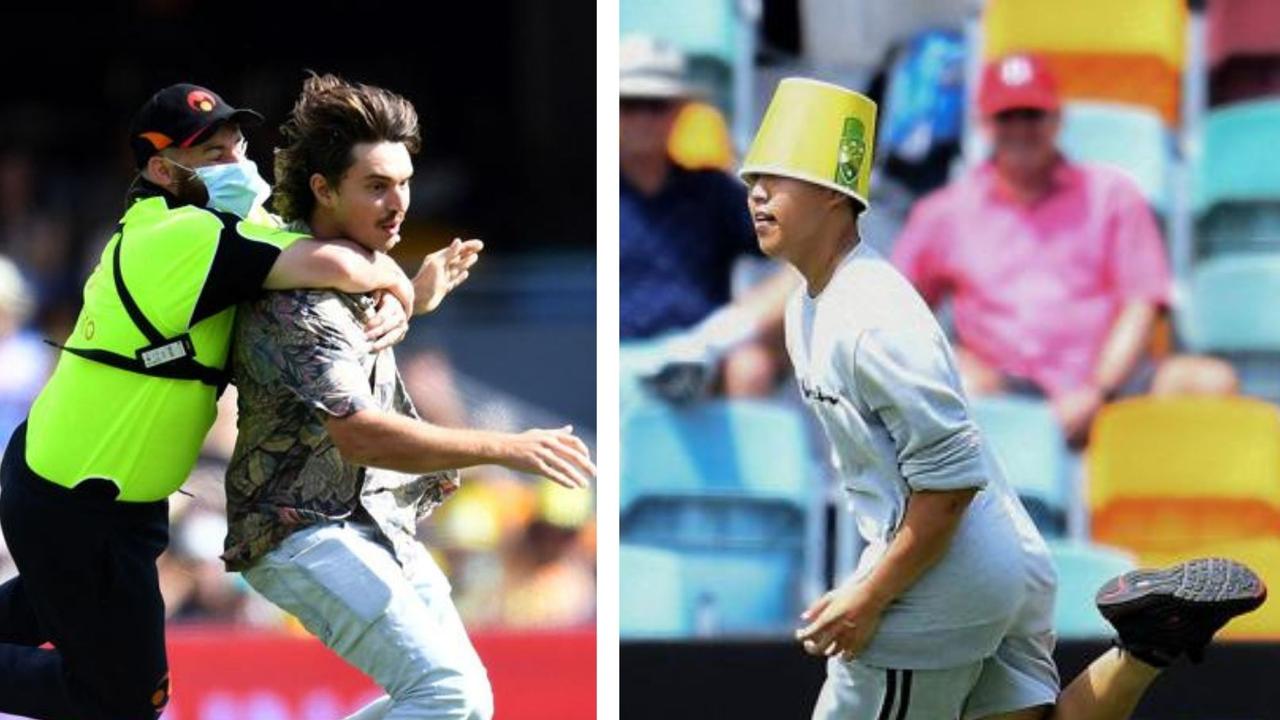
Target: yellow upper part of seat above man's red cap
x: 1087, y: 28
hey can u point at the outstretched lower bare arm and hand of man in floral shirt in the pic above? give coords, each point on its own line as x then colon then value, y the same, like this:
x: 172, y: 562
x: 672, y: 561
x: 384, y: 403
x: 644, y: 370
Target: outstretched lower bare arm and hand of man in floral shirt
x: 386, y: 440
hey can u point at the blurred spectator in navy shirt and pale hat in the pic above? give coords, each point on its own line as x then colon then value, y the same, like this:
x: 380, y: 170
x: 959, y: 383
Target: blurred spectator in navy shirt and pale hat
x: 682, y: 233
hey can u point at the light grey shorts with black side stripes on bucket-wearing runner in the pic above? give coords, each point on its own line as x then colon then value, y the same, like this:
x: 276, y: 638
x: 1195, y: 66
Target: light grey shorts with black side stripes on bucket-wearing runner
x: 1021, y: 675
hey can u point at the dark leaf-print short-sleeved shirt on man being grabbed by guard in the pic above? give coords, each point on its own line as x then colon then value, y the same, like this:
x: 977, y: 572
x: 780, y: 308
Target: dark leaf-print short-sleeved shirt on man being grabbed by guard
x: 300, y: 358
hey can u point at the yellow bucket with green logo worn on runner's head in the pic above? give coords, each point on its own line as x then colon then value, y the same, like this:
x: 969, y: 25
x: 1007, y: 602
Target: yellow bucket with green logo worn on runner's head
x: 816, y: 133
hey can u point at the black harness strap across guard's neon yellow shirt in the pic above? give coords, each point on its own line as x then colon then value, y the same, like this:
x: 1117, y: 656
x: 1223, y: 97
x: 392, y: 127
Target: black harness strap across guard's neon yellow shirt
x: 172, y: 358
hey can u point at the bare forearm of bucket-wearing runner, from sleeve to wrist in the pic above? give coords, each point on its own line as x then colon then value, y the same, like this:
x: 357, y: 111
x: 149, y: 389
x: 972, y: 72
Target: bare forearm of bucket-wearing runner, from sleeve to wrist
x: 931, y: 522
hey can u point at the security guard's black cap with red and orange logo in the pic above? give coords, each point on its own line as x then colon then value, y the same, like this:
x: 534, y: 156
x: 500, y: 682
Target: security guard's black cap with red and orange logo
x: 181, y: 116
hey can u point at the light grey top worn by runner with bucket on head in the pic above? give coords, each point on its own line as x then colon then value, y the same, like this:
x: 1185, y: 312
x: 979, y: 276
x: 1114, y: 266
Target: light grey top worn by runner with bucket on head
x: 876, y: 368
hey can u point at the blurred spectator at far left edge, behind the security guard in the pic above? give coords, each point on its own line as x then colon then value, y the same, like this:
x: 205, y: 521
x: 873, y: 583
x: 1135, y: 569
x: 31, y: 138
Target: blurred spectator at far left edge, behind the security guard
x: 25, y: 359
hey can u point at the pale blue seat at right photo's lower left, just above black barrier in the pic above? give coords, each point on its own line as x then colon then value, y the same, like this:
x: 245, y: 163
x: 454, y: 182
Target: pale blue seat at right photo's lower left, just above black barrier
x: 651, y: 603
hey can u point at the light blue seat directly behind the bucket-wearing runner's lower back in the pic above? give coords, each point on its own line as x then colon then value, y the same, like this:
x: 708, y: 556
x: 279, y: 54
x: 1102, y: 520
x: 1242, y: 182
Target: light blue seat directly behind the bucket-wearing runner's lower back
x: 1027, y: 439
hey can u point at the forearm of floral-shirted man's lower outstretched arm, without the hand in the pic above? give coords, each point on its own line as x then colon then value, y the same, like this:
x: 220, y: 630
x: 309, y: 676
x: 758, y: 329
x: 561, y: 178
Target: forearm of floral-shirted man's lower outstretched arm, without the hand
x: 386, y: 440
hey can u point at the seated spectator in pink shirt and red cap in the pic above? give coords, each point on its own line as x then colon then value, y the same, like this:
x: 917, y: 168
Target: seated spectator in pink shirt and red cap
x: 1057, y: 271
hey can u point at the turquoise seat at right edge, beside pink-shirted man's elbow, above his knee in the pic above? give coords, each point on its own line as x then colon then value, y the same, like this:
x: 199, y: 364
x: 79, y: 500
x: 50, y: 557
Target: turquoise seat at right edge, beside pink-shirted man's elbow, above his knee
x: 1233, y: 306
